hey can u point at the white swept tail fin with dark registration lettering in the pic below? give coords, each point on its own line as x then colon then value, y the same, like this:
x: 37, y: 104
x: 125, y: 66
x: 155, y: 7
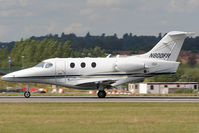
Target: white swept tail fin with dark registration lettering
x: 168, y: 48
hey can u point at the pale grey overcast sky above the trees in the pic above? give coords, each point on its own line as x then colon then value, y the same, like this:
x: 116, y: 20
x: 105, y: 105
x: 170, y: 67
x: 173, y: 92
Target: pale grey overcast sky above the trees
x: 25, y: 18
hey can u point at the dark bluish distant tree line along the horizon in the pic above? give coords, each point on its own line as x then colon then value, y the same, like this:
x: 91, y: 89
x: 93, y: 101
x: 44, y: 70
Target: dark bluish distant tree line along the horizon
x: 110, y: 43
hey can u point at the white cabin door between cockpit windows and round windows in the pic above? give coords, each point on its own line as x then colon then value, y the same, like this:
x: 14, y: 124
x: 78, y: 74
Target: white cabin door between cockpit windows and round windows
x: 60, y: 72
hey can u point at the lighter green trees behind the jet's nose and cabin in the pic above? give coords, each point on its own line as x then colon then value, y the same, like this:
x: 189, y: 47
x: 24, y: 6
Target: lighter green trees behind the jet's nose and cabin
x: 34, y: 51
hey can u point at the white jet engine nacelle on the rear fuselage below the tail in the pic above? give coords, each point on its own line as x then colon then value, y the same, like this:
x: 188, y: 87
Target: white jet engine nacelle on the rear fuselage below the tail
x: 127, y: 66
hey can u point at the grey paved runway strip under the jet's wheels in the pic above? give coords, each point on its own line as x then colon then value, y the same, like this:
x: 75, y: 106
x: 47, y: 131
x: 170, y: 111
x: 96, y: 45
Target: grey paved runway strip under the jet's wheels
x: 63, y: 99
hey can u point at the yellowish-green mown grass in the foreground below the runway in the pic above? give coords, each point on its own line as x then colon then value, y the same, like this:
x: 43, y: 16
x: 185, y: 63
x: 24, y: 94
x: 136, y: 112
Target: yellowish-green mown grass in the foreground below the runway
x: 99, y: 117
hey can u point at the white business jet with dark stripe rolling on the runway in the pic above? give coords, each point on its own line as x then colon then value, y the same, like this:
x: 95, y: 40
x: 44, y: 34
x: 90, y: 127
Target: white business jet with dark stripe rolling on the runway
x: 104, y: 73
